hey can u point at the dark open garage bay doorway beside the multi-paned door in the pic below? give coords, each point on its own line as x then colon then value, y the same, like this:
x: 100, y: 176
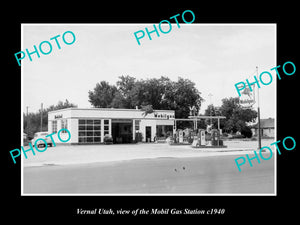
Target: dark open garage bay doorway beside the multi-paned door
x: 121, y: 131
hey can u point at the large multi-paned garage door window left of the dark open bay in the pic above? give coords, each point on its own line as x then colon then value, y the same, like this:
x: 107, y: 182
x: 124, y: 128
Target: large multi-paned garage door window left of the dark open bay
x: 89, y: 131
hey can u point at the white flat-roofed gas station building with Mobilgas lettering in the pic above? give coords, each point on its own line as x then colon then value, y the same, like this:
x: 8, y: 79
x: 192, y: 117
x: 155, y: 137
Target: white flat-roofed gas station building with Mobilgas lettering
x: 89, y: 126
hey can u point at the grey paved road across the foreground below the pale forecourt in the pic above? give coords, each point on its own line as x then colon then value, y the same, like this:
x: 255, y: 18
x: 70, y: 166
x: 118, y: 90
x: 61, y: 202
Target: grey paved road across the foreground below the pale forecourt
x: 201, y: 175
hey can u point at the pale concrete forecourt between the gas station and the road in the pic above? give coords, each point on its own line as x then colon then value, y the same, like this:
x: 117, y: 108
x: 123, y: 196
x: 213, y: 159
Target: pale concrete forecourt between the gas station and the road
x: 80, y: 154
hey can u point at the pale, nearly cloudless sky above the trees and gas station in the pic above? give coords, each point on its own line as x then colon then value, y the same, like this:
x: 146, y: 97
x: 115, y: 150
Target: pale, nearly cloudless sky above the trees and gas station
x: 214, y: 56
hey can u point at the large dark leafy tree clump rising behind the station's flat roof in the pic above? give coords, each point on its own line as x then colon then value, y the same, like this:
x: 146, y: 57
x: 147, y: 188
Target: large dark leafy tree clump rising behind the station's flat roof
x: 160, y: 93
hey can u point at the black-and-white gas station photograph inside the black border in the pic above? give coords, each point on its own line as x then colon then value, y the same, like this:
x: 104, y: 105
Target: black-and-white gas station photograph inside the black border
x: 161, y: 116
